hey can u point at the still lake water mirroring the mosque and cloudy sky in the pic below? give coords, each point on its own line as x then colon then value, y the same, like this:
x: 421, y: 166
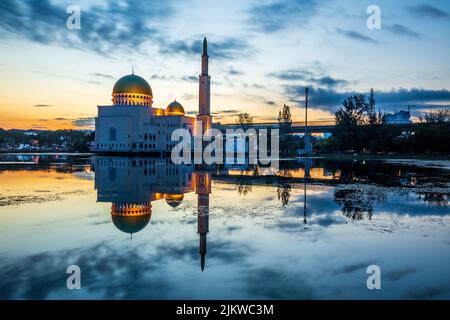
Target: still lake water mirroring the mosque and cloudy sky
x: 146, y: 229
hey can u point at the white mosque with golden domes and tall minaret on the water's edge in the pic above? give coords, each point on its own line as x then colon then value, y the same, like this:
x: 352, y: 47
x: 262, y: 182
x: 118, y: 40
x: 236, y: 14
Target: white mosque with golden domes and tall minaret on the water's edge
x: 132, y: 125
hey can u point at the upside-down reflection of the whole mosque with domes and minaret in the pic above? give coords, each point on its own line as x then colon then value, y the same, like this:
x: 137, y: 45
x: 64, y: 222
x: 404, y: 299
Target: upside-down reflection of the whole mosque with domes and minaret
x: 131, y: 184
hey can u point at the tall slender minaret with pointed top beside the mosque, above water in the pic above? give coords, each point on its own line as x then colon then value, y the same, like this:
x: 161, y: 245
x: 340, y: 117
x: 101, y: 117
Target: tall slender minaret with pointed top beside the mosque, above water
x: 204, y: 98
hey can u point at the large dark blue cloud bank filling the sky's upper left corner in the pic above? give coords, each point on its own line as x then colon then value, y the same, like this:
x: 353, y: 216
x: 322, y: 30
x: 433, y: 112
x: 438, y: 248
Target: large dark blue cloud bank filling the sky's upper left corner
x: 104, y: 28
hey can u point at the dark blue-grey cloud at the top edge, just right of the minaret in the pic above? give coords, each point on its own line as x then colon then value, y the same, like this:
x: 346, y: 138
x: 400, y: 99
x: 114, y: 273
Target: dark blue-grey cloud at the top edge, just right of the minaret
x: 279, y: 15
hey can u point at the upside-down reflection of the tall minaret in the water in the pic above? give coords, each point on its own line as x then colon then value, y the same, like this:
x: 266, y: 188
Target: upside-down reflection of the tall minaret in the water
x: 203, y: 189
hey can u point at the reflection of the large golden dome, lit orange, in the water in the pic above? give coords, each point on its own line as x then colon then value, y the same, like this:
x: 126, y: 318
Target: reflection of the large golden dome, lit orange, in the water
x: 131, y: 218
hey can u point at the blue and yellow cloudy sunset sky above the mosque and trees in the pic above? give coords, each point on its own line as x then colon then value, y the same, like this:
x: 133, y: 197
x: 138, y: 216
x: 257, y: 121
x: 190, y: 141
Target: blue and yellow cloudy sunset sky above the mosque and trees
x: 262, y: 55
